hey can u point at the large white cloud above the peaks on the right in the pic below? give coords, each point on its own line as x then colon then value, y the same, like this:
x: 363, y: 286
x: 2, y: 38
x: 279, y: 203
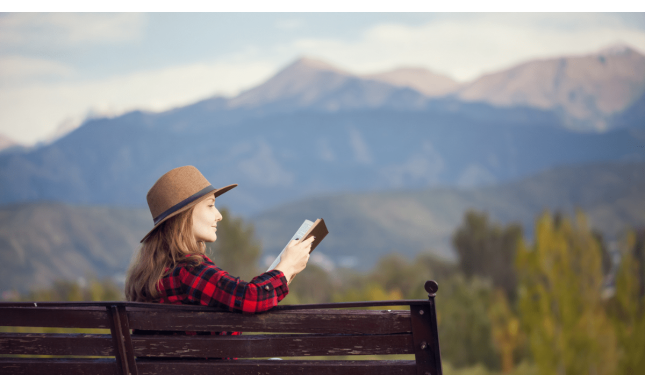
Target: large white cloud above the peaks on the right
x: 469, y: 46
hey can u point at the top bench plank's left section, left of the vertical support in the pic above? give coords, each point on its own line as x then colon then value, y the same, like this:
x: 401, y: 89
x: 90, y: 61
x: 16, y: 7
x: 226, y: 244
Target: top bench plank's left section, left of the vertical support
x: 91, y: 317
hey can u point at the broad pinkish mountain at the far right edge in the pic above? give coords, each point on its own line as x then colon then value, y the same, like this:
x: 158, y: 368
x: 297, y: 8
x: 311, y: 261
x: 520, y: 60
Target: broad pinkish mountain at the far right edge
x: 584, y: 90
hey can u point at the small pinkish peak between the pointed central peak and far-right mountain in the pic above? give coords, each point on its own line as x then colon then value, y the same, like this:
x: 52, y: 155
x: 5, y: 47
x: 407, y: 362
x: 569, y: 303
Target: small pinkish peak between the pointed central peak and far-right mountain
x: 422, y: 80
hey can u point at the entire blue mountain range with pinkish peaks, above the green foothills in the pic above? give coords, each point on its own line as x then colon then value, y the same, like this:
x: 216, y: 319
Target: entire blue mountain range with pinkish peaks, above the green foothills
x: 314, y: 129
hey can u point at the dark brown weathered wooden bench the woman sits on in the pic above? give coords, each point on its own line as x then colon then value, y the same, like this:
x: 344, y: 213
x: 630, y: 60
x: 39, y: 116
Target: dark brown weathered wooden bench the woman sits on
x: 294, y: 331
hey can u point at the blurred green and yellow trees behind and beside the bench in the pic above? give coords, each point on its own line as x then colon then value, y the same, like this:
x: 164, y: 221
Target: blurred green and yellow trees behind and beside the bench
x: 559, y: 304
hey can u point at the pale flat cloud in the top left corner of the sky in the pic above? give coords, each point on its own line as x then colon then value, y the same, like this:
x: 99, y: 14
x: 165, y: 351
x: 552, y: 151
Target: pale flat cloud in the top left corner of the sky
x: 69, y: 29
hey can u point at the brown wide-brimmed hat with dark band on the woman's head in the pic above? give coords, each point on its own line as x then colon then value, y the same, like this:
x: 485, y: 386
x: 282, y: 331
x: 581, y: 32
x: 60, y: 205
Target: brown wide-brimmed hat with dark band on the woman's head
x: 177, y: 191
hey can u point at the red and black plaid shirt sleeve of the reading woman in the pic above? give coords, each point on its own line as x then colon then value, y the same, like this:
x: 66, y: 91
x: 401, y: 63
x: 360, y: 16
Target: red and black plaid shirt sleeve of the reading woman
x: 212, y: 286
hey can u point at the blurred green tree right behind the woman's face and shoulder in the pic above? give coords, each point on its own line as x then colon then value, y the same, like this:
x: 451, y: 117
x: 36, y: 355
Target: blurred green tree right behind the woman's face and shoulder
x: 236, y: 250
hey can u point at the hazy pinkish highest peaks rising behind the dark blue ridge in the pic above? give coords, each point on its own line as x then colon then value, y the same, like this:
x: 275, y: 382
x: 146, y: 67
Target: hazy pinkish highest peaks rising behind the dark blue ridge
x: 585, y: 92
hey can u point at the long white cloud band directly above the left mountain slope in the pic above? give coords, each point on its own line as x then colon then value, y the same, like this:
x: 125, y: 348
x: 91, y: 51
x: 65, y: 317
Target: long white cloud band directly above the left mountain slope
x: 33, y: 112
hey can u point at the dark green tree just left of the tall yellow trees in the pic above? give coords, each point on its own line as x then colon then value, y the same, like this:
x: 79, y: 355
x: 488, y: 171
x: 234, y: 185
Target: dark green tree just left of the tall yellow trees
x: 487, y: 250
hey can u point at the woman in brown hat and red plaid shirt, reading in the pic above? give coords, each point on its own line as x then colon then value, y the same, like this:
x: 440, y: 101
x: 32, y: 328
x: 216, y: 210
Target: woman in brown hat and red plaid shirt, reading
x: 170, y: 266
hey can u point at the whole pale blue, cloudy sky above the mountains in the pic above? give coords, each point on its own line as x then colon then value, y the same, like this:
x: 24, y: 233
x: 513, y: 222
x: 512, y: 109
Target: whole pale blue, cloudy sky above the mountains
x: 57, y: 69
